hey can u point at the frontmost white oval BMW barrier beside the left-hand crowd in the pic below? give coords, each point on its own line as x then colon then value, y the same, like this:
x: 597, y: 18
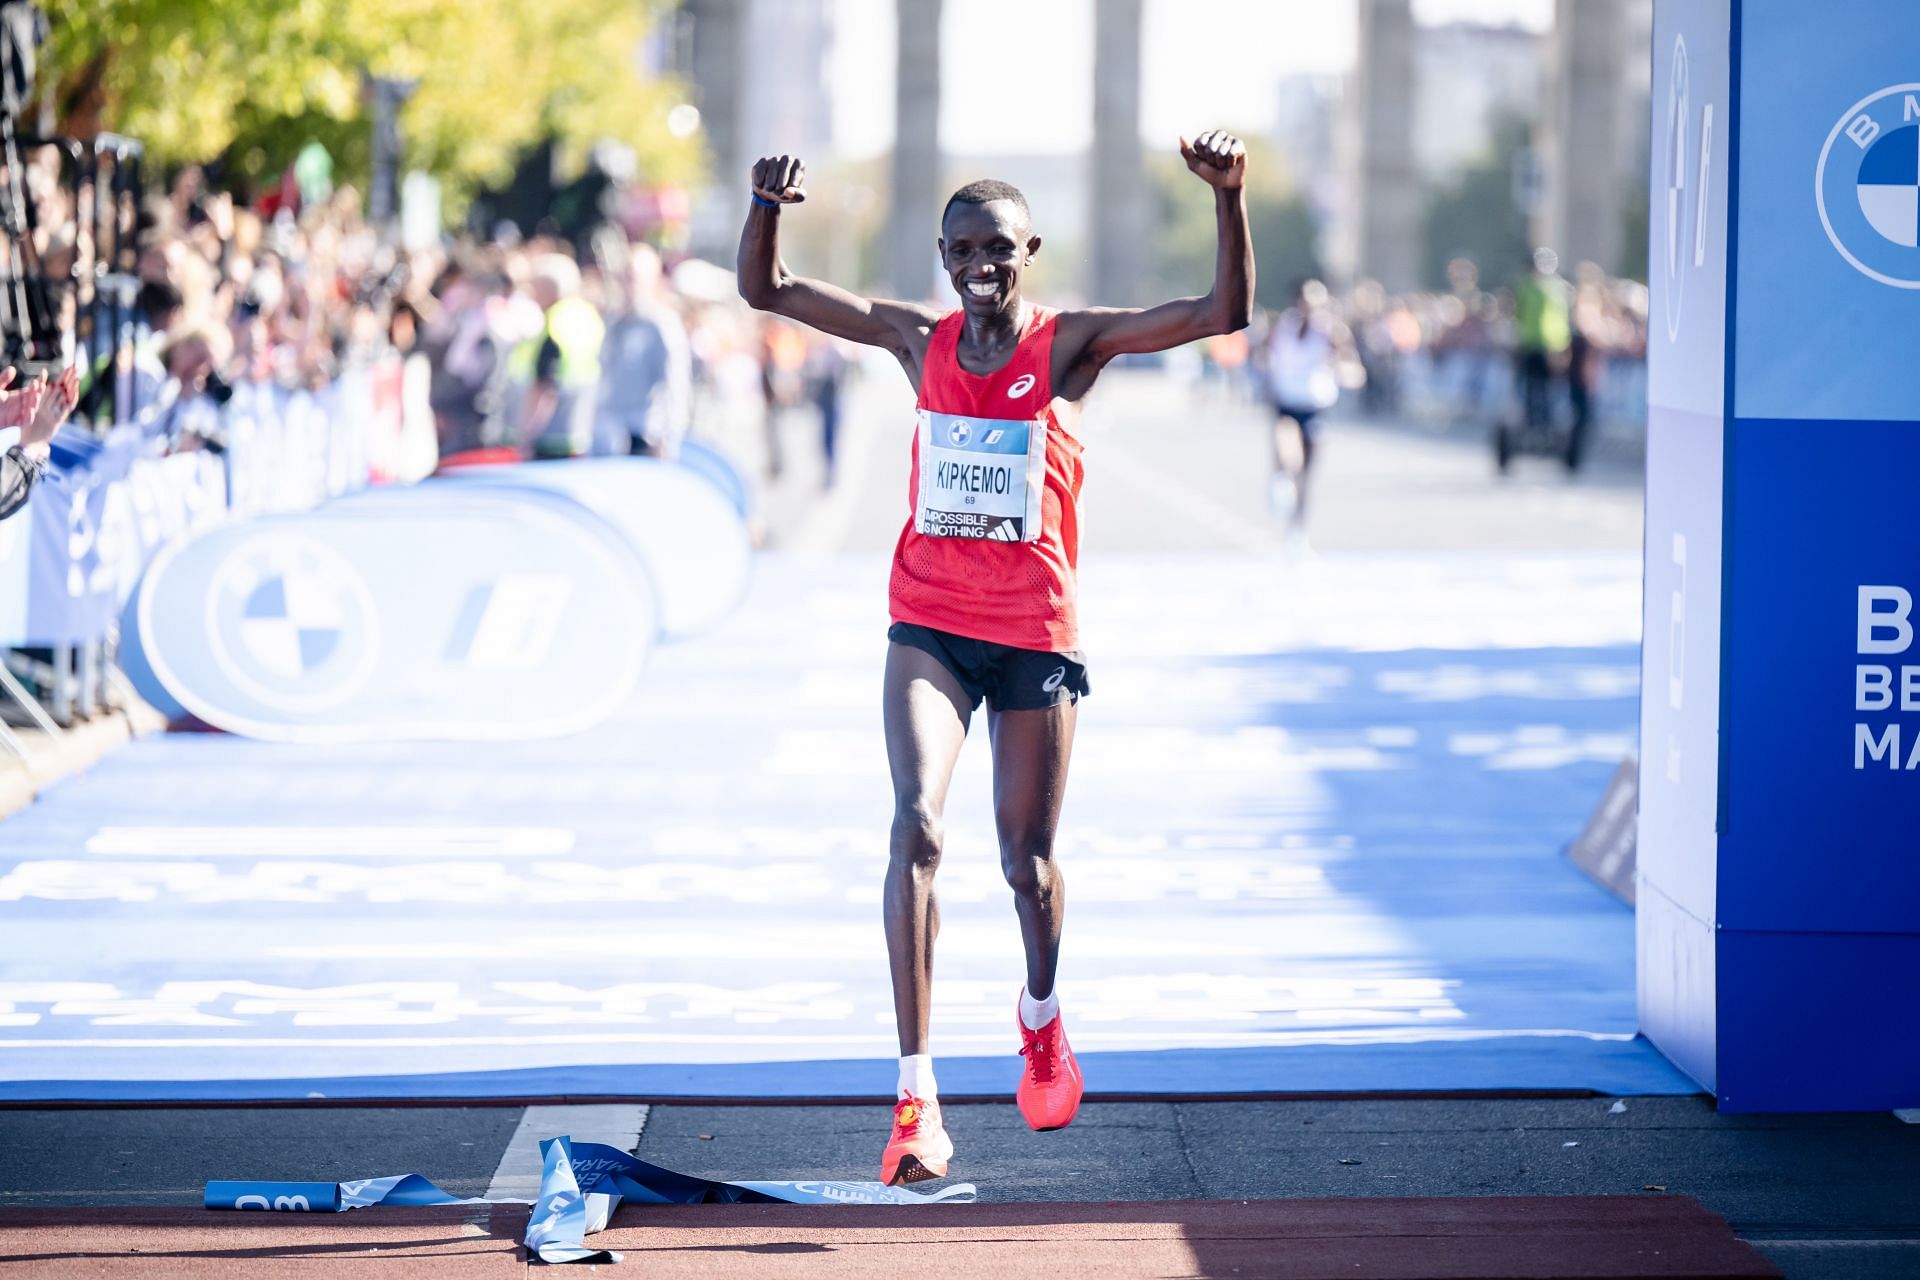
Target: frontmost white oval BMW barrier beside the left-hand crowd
x: 398, y: 615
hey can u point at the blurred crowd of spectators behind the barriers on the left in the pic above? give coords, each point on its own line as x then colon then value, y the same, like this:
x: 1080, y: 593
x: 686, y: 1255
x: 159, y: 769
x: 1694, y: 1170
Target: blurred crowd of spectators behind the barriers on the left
x: 514, y: 346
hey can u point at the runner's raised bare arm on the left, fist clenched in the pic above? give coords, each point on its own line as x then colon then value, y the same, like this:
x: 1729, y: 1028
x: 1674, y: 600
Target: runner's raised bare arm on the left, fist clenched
x: 767, y: 285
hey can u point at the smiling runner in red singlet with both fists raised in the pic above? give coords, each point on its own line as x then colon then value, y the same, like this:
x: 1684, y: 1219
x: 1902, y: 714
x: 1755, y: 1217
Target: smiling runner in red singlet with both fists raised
x: 982, y: 592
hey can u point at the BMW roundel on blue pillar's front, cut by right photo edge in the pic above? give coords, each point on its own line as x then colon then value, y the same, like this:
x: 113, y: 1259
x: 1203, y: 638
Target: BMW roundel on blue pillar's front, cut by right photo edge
x: 1869, y: 187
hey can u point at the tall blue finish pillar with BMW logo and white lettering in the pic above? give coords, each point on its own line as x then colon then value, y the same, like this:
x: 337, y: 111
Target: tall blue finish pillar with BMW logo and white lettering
x: 1781, y: 701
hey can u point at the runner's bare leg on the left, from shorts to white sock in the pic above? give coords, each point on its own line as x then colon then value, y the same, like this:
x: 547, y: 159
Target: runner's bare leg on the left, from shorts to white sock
x: 926, y: 719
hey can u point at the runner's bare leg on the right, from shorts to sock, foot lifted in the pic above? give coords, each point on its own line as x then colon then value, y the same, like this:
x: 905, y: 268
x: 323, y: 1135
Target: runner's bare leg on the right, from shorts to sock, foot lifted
x: 1030, y: 780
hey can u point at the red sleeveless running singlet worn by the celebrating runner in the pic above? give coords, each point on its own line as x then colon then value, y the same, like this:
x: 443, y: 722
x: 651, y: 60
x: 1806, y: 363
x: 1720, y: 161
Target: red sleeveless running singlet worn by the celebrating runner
x: 992, y: 540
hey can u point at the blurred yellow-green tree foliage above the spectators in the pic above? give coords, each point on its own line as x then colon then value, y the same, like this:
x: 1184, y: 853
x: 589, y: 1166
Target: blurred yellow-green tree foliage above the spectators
x: 254, y: 80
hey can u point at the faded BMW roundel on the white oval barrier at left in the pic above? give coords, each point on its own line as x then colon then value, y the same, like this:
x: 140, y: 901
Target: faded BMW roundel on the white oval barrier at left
x: 293, y: 623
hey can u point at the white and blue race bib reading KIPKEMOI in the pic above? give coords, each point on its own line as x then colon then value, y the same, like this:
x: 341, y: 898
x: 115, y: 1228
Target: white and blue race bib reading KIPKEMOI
x: 980, y: 477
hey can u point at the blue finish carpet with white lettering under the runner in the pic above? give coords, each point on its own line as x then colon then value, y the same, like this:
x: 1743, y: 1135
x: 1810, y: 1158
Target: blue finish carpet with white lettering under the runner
x: 1312, y: 841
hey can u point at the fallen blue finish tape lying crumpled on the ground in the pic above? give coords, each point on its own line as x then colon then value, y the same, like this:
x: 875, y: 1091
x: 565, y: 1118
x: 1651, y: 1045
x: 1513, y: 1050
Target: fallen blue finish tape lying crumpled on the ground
x: 581, y: 1185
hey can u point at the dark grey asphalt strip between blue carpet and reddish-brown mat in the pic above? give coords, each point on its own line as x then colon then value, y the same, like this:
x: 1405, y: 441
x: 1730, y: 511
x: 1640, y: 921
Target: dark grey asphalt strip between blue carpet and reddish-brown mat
x: 1821, y: 1195
